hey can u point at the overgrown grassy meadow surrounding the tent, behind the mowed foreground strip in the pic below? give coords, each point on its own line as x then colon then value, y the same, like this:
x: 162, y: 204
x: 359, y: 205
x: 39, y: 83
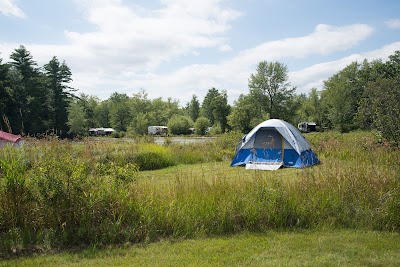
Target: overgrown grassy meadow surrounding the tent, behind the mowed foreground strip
x: 58, y: 195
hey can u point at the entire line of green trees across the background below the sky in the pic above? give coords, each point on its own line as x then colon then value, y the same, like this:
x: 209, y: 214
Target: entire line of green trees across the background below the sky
x: 36, y: 100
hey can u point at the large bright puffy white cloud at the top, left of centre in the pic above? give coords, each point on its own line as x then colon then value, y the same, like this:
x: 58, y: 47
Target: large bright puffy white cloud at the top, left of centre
x: 141, y: 40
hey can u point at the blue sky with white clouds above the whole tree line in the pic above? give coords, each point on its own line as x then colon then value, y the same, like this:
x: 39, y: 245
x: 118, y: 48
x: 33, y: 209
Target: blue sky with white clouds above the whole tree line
x: 178, y: 48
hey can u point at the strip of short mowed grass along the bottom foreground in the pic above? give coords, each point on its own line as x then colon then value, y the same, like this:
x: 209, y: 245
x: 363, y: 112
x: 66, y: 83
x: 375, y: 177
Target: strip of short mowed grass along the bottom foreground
x: 304, y: 248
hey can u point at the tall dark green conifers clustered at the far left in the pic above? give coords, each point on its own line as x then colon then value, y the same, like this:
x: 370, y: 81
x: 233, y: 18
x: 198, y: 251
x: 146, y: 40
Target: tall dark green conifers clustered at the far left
x: 34, y: 100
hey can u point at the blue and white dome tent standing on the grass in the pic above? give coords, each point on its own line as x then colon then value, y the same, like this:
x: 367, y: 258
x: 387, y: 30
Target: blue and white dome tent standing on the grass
x: 272, y: 144
